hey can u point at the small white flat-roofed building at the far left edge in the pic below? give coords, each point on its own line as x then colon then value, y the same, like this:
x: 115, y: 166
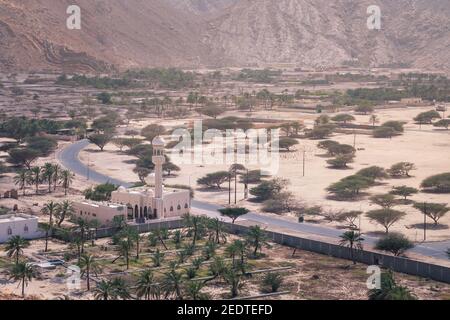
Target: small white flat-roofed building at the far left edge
x: 18, y: 224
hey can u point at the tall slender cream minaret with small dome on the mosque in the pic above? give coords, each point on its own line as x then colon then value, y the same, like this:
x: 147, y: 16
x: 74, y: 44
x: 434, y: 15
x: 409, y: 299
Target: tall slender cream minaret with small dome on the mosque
x: 158, y: 160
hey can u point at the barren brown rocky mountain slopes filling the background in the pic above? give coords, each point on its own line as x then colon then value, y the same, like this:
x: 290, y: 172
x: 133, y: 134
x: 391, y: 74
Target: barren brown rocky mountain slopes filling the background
x: 193, y: 33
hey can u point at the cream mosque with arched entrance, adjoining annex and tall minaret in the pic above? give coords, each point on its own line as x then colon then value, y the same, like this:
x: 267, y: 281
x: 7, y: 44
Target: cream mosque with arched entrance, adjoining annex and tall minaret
x: 143, y: 204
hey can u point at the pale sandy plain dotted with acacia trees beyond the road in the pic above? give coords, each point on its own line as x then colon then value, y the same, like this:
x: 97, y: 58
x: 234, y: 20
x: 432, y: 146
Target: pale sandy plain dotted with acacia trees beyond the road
x: 425, y: 146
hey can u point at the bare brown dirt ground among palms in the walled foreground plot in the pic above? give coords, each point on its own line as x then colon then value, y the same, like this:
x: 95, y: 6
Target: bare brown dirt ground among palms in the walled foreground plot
x: 311, y: 277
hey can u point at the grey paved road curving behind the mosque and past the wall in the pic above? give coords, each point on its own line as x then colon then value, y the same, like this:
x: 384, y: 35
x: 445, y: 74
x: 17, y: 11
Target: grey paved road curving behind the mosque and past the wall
x: 69, y: 158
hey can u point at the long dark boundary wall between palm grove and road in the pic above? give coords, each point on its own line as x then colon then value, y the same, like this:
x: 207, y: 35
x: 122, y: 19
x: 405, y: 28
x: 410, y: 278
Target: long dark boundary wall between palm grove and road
x: 398, y: 264
